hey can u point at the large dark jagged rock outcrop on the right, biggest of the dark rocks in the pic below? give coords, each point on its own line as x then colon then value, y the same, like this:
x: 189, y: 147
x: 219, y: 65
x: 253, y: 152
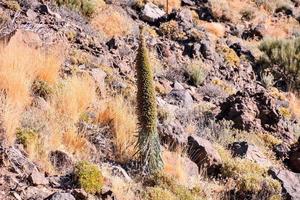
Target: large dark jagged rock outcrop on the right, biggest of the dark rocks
x: 250, y: 110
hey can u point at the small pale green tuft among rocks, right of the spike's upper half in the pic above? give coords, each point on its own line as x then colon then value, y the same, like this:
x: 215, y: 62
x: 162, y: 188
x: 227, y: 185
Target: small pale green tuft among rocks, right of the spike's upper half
x: 196, y: 72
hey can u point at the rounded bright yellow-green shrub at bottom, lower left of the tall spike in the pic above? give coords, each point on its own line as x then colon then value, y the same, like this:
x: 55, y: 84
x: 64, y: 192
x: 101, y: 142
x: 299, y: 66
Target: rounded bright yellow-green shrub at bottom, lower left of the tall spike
x: 89, y: 177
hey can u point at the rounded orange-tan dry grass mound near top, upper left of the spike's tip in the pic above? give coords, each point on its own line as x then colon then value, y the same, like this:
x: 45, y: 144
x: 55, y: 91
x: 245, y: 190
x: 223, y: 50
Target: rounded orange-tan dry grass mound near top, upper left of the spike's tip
x: 112, y: 22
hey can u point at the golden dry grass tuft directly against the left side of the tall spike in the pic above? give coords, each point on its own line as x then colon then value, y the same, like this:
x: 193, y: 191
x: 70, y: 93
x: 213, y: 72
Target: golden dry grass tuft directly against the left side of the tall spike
x: 122, y: 120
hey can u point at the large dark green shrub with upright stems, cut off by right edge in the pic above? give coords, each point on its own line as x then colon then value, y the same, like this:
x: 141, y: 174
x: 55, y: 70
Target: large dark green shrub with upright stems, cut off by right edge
x: 282, y: 58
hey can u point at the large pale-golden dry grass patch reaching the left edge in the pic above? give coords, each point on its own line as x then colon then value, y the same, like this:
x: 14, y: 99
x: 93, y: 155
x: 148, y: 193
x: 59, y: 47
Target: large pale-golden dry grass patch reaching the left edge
x: 20, y: 66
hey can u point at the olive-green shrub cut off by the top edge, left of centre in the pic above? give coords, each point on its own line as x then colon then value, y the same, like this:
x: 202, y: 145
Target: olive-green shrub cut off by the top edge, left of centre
x: 86, y: 7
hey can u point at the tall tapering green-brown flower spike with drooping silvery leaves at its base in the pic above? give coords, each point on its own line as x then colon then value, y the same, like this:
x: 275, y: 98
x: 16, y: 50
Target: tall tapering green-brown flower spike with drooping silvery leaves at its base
x: 148, y: 139
